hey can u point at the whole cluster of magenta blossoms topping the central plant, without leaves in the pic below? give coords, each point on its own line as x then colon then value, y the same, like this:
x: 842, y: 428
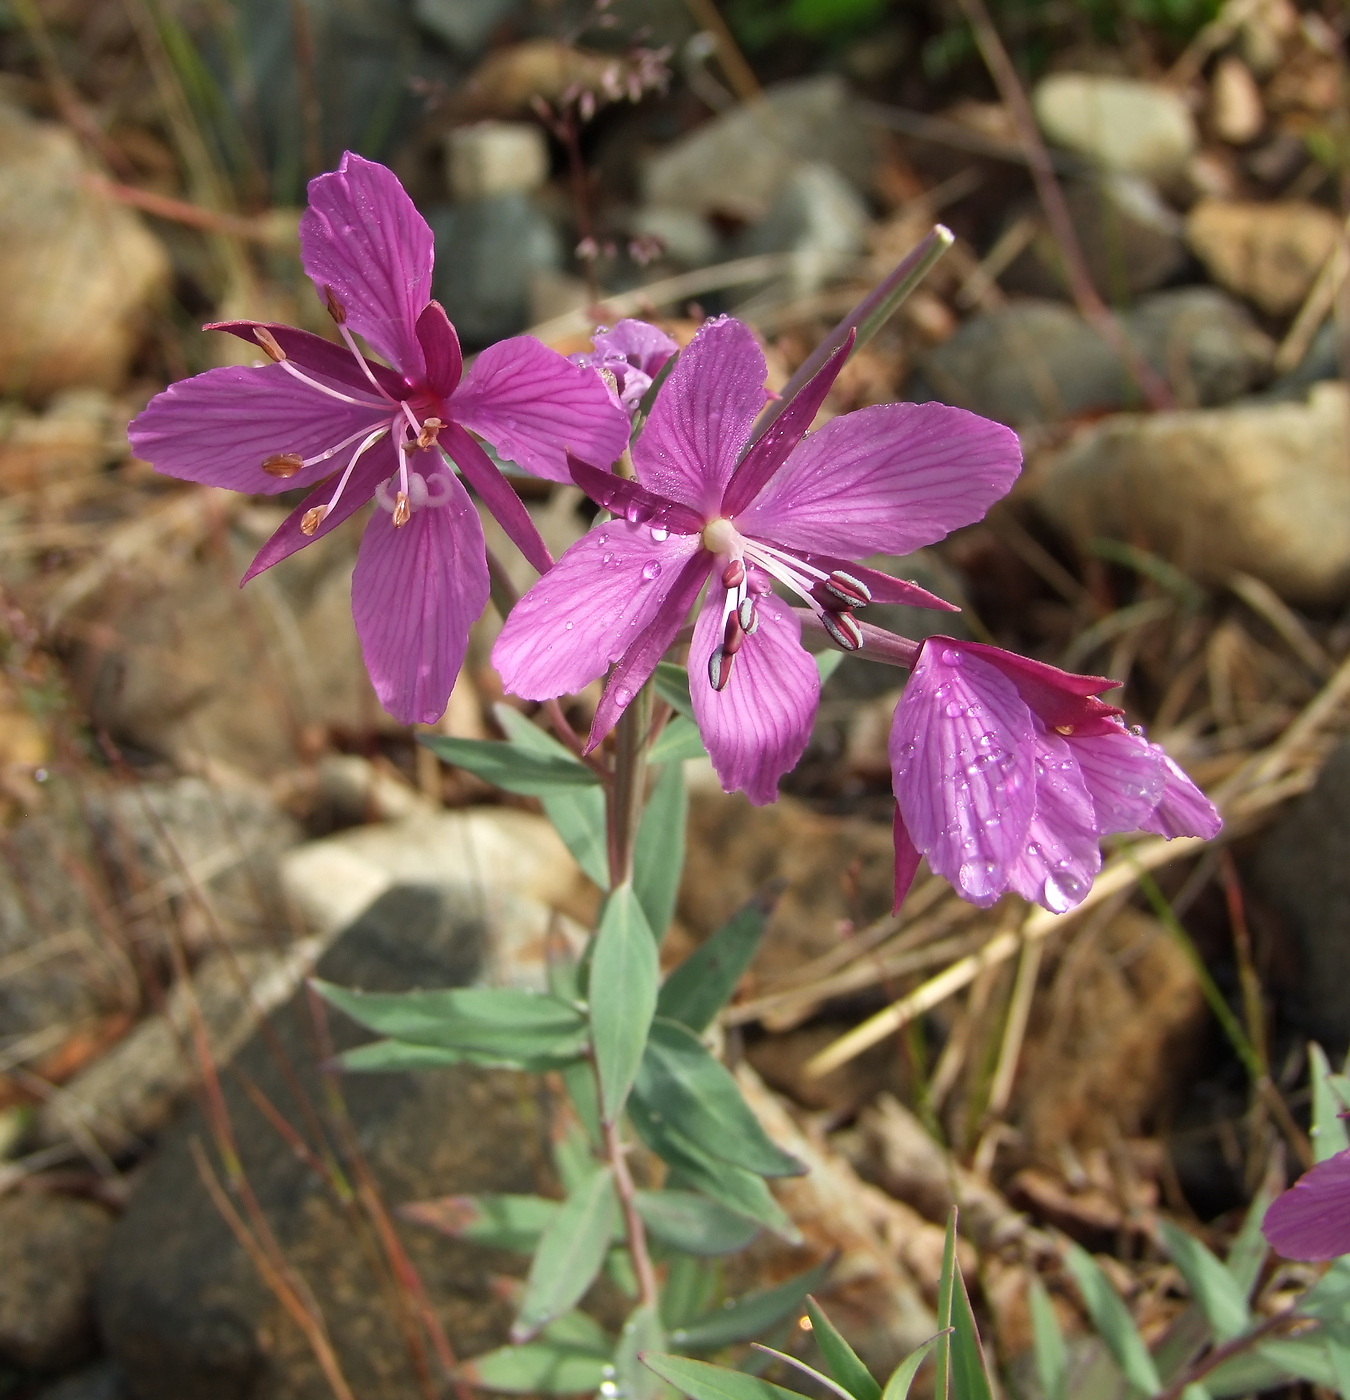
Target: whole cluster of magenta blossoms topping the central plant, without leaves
x: 1008, y: 772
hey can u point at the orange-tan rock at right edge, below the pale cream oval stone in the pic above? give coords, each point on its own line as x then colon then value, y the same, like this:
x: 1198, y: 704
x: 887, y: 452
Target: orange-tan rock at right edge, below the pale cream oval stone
x: 1269, y: 254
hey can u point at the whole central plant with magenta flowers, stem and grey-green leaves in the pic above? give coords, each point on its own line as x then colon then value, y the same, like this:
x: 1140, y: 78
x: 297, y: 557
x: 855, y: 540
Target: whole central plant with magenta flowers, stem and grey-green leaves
x: 721, y: 506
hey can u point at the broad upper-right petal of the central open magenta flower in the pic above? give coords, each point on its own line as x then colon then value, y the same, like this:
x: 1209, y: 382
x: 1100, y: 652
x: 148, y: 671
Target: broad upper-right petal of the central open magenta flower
x: 889, y: 479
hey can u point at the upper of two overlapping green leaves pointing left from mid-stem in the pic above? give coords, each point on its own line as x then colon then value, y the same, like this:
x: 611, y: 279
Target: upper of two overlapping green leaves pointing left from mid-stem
x: 491, y: 1021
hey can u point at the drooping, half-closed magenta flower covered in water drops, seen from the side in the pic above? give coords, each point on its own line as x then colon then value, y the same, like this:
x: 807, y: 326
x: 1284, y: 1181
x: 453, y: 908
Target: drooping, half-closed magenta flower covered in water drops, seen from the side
x: 1008, y: 773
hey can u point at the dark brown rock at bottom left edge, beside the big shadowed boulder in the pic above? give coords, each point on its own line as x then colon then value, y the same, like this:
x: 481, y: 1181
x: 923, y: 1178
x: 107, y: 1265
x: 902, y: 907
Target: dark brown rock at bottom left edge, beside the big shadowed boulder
x: 51, y: 1249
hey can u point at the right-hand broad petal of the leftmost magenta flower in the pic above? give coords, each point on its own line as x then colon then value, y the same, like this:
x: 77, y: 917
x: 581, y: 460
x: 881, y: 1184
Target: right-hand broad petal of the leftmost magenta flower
x: 536, y: 407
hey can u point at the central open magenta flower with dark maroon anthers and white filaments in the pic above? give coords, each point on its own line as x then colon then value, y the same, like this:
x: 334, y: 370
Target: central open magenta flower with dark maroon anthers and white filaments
x: 712, y: 506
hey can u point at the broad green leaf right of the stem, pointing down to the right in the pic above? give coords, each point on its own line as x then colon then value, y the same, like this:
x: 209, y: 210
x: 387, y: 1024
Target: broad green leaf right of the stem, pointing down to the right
x: 684, y: 1086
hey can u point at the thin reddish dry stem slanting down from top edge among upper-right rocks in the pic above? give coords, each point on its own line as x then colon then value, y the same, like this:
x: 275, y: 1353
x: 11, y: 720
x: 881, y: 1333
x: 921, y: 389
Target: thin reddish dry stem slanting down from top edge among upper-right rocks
x: 1057, y: 212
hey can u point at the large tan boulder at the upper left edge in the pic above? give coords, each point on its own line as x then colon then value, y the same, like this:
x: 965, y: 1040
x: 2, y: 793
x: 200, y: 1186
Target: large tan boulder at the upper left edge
x: 78, y: 272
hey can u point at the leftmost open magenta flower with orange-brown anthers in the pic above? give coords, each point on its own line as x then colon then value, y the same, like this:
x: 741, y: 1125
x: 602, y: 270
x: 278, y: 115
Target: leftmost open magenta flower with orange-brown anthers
x: 327, y: 416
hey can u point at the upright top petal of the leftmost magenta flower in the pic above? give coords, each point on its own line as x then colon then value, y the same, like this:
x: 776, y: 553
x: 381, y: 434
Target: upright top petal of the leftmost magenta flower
x: 363, y: 240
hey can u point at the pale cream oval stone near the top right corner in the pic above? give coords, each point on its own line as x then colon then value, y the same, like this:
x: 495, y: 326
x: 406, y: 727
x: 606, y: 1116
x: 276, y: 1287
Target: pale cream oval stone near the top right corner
x: 1120, y: 124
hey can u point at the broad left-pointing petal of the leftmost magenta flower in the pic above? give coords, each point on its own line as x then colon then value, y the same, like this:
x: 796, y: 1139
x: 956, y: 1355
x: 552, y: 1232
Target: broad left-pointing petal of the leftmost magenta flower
x: 219, y: 428
